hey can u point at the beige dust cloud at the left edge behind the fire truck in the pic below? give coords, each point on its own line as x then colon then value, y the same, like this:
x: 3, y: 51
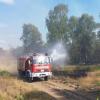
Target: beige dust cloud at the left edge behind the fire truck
x: 8, y: 62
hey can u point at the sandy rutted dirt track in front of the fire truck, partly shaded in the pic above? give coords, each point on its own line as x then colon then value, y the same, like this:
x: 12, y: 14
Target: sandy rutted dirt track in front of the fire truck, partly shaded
x: 62, y: 92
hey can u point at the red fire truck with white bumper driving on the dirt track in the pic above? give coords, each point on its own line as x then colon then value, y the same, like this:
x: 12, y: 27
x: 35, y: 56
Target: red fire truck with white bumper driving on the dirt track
x: 35, y: 65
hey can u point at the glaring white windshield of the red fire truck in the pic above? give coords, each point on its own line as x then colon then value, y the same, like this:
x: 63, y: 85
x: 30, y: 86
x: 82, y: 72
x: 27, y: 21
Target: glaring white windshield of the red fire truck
x: 41, y: 60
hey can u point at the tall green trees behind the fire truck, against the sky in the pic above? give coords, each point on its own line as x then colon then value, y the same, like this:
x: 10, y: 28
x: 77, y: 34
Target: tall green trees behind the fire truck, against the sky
x: 78, y: 34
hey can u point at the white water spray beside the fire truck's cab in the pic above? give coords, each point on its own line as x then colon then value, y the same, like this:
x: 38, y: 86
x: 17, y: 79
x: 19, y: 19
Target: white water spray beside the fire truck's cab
x: 59, y: 54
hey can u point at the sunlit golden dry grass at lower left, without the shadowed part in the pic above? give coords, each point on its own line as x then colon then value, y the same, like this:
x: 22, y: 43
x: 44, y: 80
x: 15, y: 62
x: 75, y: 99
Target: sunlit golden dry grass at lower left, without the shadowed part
x: 11, y: 87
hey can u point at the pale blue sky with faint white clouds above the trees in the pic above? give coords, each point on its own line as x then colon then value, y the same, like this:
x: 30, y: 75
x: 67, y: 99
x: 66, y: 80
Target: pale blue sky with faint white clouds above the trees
x: 14, y: 13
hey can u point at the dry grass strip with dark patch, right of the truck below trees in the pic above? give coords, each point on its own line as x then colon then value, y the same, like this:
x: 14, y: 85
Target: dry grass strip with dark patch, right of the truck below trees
x: 91, y: 80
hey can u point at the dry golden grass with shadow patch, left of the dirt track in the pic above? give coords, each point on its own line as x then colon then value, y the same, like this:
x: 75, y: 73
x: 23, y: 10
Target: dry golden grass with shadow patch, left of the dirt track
x: 12, y: 88
